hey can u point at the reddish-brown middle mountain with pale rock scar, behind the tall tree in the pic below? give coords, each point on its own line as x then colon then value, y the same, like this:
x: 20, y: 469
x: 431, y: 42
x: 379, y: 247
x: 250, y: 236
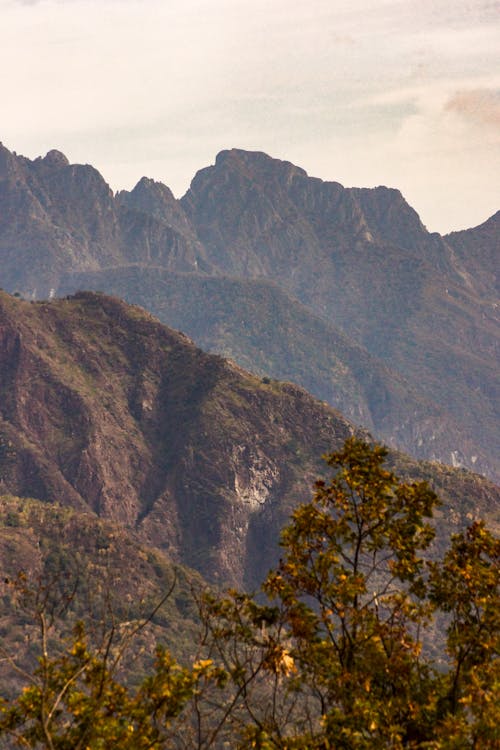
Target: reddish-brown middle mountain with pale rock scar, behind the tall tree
x: 107, y: 412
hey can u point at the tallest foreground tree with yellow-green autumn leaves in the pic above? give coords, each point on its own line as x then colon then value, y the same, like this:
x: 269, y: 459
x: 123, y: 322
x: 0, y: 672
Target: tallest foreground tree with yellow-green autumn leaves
x: 351, y: 586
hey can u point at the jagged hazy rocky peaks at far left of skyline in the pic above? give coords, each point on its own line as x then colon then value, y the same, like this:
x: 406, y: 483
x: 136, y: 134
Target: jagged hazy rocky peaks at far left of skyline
x: 56, y: 217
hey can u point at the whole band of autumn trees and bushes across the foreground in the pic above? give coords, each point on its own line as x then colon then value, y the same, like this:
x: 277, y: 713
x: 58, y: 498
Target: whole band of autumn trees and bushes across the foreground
x: 356, y: 640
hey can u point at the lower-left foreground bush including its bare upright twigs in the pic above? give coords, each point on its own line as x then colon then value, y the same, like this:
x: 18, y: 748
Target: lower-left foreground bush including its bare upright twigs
x: 83, y: 696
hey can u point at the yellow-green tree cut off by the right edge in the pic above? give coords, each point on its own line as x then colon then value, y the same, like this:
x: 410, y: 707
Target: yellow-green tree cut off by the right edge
x: 466, y: 587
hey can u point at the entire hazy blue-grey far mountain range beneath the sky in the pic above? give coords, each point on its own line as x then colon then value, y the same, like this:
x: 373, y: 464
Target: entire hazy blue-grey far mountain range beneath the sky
x: 340, y: 290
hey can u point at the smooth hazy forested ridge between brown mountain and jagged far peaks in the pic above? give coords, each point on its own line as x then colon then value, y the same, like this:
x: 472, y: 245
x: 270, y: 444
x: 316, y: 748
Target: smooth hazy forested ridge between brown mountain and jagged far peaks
x: 264, y: 329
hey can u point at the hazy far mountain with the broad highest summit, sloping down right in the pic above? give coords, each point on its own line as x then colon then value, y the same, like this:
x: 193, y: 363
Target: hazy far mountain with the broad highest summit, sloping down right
x: 362, y: 260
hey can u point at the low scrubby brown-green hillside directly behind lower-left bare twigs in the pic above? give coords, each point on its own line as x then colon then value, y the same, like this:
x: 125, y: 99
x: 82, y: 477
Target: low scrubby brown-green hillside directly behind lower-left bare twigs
x: 82, y: 568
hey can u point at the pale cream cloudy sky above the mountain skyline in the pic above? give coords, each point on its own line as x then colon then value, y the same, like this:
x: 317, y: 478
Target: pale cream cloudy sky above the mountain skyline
x: 363, y: 92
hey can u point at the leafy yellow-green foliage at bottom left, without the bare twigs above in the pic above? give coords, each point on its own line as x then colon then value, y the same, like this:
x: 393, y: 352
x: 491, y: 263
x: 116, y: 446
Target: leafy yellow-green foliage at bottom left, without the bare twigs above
x: 74, y: 701
